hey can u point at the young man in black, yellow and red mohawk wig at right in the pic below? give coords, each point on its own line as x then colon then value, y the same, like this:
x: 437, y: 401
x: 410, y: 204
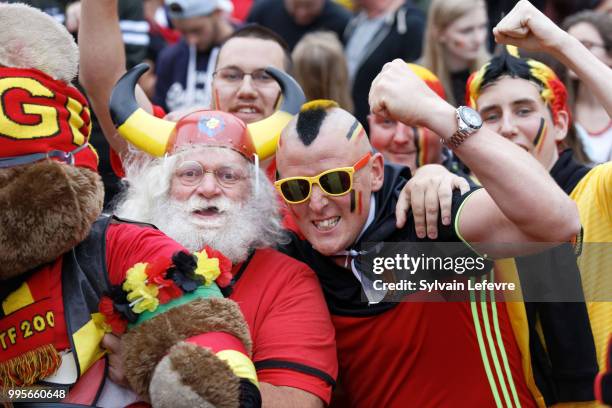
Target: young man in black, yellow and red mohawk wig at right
x: 524, y: 101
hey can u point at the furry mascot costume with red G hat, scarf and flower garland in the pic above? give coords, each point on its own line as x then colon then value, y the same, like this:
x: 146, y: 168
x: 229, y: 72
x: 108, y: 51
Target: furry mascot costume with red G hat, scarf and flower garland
x: 68, y: 275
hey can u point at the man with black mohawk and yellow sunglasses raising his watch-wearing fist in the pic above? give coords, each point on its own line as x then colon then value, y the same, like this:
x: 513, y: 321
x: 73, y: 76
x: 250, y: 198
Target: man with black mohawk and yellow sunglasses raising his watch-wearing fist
x: 343, y: 196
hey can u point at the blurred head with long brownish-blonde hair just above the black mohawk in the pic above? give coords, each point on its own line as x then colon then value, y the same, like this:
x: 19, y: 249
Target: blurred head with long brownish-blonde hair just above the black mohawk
x: 320, y: 67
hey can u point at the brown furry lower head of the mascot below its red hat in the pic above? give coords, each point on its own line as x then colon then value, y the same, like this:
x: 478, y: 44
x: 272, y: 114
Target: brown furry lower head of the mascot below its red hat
x: 47, y: 208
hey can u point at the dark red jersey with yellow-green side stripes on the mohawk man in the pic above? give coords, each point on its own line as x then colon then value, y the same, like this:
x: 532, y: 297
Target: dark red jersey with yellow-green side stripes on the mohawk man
x: 434, y: 355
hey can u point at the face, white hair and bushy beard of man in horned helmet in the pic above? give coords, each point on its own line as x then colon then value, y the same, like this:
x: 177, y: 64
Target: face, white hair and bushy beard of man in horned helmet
x: 234, y: 227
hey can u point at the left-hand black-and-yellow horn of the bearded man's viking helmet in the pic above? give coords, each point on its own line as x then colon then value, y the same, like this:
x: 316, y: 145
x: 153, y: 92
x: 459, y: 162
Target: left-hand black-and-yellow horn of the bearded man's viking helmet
x: 145, y: 131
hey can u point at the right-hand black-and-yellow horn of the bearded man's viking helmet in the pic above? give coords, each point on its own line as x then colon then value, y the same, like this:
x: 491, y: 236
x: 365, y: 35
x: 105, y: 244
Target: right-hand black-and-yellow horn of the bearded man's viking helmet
x: 266, y: 132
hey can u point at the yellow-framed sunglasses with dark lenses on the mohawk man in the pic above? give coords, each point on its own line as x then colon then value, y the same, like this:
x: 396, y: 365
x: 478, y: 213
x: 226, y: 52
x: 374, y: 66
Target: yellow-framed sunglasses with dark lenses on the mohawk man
x: 334, y: 182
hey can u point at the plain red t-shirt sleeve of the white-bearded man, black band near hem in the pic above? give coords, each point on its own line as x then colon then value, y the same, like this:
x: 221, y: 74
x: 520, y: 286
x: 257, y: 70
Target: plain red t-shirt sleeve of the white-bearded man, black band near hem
x: 293, y: 337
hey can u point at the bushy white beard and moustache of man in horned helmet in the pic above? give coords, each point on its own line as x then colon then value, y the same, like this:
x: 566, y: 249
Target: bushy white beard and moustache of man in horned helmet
x: 232, y: 231
